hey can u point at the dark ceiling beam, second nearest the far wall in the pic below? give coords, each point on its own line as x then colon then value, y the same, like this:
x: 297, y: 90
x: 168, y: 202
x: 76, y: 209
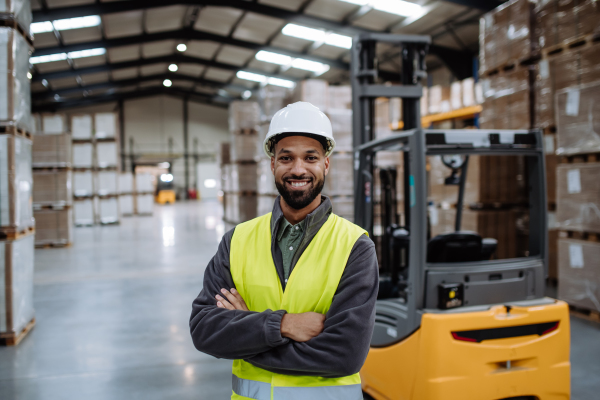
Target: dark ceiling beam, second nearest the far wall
x: 136, y: 81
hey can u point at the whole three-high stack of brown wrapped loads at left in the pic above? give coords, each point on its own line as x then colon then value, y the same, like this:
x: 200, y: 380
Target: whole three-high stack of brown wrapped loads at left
x: 52, y: 188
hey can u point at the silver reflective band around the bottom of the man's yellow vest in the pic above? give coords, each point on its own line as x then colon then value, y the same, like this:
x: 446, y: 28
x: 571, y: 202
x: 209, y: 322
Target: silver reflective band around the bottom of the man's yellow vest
x: 262, y: 391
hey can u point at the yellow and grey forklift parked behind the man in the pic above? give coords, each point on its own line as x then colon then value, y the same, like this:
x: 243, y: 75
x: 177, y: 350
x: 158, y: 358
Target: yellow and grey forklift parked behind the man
x: 453, y: 321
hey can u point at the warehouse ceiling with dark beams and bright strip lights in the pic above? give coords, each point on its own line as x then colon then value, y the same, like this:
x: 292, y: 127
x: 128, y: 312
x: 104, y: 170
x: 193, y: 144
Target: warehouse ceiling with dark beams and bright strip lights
x: 90, y: 51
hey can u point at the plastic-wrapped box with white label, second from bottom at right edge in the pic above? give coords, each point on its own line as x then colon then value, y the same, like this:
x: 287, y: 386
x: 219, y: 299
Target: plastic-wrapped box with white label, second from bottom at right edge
x: 578, y: 197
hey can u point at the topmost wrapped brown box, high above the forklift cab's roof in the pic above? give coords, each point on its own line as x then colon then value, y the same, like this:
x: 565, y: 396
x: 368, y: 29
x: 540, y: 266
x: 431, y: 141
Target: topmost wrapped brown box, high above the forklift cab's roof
x: 507, y: 34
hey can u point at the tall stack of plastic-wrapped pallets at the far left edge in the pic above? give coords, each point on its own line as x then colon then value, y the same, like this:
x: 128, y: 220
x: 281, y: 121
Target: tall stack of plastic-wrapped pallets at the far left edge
x: 17, y: 235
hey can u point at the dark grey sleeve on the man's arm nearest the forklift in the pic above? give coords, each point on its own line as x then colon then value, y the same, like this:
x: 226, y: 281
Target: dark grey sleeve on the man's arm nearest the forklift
x: 342, y: 347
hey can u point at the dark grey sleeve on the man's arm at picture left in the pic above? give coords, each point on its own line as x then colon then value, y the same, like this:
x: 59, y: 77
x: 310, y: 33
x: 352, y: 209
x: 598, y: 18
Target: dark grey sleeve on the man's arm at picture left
x: 231, y: 334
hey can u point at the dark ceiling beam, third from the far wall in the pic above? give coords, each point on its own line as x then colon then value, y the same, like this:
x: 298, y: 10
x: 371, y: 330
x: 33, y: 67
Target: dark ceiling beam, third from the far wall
x: 170, y: 59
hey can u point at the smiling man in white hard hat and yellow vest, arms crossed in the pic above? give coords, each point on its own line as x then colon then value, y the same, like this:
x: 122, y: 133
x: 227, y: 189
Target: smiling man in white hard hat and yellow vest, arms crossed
x: 290, y: 296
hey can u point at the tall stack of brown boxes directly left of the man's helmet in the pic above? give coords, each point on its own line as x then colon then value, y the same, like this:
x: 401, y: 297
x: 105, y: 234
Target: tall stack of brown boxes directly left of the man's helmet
x: 240, y: 176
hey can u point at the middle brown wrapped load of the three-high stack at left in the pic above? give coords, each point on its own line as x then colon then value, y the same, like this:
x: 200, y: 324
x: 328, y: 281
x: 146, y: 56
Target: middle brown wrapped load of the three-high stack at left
x: 52, y: 187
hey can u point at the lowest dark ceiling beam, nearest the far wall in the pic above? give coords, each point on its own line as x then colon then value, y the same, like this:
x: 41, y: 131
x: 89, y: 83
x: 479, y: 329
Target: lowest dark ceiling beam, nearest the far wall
x: 107, y: 98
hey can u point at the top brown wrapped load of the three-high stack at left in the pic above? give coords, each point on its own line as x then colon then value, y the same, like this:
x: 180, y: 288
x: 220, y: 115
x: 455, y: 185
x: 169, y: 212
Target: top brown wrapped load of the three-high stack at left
x: 52, y: 150
